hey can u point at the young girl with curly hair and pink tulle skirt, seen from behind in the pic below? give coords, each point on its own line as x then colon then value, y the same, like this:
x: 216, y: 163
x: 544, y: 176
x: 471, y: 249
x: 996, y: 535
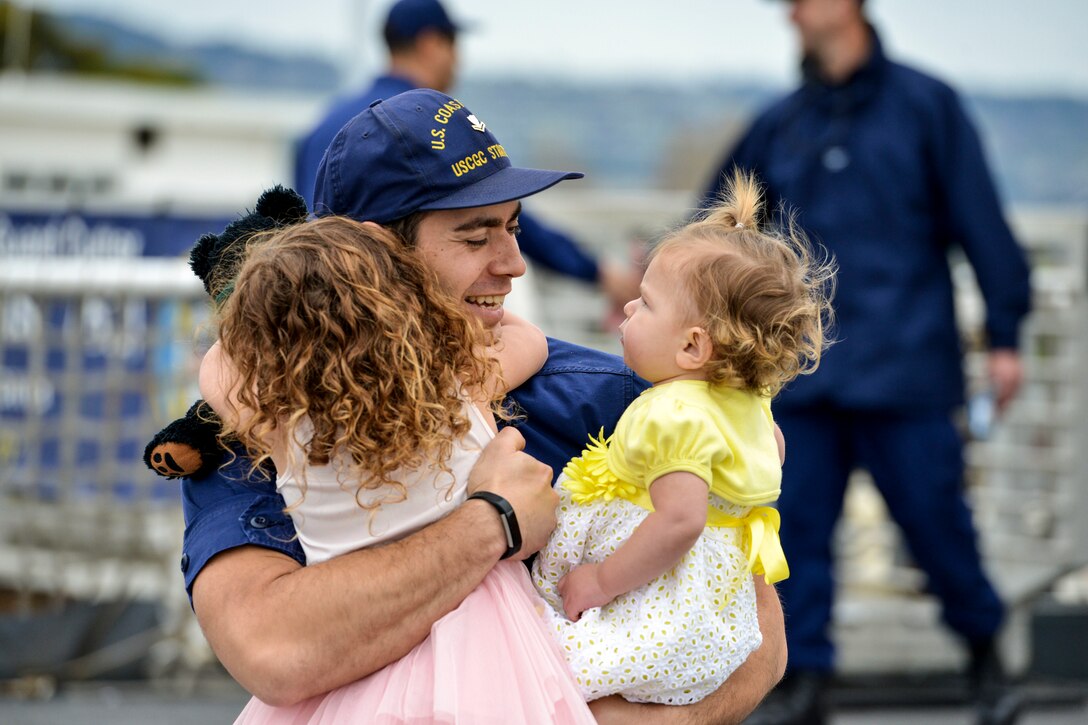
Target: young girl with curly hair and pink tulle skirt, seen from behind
x: 343, y: 363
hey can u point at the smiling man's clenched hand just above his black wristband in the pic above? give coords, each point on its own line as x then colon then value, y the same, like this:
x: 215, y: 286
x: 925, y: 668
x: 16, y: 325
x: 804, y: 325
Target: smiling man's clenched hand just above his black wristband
x: 504, y: 469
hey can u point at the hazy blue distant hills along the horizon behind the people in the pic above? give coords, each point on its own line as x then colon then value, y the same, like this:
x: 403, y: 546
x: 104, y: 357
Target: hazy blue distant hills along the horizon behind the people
x: 636, y: 134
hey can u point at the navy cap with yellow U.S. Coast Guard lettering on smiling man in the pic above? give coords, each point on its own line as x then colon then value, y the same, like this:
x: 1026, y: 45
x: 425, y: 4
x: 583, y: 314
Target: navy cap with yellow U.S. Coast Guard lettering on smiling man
x: 421, y: 151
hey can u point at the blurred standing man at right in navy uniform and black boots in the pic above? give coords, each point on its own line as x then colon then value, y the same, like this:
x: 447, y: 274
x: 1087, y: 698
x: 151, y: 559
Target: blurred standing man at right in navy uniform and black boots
x: 882, y: 166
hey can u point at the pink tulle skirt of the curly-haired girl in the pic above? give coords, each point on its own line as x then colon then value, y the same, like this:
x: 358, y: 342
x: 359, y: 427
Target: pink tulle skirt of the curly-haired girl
x: 491, y: 660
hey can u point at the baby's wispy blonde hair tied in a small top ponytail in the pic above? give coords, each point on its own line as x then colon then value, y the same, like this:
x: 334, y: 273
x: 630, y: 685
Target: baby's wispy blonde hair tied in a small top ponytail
x: 760, y: 292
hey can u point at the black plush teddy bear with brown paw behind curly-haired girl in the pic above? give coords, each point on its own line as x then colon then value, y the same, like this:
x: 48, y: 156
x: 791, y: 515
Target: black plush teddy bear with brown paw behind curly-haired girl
x: 190, y: 446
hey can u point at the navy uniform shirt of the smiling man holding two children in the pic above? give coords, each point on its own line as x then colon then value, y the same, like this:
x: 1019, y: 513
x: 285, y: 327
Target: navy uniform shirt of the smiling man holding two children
x: 576, y: 394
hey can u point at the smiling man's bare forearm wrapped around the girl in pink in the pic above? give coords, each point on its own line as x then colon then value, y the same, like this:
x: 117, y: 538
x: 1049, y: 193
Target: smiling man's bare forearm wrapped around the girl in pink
x: 288, y: 633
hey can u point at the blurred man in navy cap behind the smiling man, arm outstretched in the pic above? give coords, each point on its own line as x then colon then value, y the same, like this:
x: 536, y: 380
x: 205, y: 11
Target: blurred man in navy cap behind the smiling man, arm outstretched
x: 423, y: 47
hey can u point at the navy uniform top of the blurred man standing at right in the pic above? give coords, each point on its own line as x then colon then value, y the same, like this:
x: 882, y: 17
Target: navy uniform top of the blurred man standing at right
x: 888, y: 174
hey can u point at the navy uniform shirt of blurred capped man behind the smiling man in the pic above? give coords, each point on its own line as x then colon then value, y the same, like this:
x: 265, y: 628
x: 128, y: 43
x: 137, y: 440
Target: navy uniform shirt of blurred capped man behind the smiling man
x: 539, y: 242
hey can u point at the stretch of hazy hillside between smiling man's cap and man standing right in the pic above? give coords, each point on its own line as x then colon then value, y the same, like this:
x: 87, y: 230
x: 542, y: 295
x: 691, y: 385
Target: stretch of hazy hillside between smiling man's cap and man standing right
x: 641, y: 134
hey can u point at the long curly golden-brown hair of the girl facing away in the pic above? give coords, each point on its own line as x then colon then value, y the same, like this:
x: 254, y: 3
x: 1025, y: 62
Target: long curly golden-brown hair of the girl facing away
x: 337, y: 325
